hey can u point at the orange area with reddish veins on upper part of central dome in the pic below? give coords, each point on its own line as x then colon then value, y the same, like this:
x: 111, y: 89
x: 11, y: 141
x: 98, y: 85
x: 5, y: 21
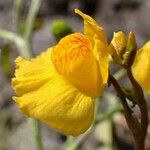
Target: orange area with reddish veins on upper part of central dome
x: 69, y: 49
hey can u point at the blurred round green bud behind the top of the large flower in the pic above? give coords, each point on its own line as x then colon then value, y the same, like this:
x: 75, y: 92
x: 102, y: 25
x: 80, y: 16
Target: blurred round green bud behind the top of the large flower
x: 60, y: 28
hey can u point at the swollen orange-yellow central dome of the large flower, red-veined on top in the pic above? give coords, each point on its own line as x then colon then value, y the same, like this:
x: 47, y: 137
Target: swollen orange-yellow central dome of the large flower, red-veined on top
x: 73, y: 58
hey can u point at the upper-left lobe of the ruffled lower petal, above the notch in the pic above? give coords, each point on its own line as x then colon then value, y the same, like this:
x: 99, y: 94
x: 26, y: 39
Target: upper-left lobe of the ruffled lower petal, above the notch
x: 31, y: 75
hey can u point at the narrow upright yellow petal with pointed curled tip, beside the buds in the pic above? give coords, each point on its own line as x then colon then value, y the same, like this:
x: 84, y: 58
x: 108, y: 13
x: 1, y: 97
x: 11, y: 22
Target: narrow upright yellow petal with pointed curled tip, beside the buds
x: 97, y: 36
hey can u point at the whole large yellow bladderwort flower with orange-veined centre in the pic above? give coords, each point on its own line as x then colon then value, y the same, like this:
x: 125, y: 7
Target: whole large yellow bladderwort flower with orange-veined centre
x: 58, y: 87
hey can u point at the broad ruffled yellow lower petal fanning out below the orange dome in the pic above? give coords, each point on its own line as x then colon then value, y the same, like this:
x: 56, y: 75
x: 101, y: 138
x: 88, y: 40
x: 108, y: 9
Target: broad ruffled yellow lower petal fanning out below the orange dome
x: 52, y: 99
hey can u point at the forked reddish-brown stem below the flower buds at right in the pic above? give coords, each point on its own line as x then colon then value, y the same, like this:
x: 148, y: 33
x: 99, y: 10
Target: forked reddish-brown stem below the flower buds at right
x: 137, y: 128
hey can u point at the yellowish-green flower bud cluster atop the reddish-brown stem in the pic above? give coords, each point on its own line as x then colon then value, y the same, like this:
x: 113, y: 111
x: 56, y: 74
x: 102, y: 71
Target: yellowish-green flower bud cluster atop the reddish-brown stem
x: 123, y: 48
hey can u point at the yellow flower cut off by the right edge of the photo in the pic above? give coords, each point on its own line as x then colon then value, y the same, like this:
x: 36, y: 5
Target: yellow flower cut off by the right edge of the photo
x: 141, y: 67
